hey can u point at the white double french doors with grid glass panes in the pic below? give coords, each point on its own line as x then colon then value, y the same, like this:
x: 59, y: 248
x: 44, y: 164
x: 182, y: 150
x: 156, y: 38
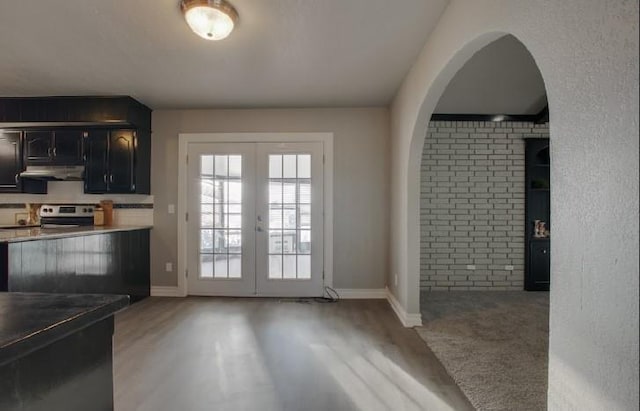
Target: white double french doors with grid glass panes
x: 255, y: 219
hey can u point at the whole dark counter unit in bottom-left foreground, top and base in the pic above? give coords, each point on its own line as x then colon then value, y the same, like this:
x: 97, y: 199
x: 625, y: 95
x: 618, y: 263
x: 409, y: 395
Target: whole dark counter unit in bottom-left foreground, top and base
x: 56, y: 351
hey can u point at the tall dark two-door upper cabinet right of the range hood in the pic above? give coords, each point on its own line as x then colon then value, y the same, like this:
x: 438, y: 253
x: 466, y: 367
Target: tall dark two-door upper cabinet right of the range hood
x: 111, y: 161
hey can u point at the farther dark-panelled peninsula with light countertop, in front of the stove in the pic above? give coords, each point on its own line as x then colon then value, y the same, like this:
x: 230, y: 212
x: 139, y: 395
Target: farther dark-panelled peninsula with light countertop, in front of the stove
x: 103, y: 260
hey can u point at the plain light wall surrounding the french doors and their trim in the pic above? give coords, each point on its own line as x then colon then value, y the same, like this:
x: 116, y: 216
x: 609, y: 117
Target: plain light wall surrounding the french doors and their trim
x: 361, y: 181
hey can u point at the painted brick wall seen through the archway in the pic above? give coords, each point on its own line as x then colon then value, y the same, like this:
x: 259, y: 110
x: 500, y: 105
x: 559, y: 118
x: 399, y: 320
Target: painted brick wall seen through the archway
x: 472, y: 204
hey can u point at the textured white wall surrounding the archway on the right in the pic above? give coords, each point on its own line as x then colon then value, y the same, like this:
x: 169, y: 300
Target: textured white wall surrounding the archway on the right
x: 587, y: 52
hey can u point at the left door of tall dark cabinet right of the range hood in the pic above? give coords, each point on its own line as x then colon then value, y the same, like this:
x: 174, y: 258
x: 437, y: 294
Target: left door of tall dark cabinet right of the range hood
x: 95, y: 169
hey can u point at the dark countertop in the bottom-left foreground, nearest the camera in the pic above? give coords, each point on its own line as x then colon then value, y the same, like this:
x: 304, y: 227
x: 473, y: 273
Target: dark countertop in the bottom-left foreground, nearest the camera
x: 29, y: 321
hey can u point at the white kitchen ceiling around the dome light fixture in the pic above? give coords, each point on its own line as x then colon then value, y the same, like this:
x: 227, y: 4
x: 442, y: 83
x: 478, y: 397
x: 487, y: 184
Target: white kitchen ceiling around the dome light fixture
x: 284, y: 53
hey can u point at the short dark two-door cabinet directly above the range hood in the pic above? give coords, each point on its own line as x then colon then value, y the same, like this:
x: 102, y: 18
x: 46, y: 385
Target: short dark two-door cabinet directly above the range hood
x: 60, y: 146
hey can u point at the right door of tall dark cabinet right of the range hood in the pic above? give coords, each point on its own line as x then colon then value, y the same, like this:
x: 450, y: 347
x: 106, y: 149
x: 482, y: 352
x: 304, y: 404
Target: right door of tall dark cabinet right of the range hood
x: 121, y: 161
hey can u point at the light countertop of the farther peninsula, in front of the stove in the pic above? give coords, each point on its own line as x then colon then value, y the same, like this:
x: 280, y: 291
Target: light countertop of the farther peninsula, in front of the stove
x: 37, y: 233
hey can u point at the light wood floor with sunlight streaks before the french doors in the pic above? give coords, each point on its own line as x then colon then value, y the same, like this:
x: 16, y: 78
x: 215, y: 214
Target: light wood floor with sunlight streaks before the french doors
x: 204, y: 353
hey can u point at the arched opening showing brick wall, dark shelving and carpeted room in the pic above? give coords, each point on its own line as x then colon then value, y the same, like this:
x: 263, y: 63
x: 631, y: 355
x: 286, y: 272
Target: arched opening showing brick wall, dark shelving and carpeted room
x: 484, y: 220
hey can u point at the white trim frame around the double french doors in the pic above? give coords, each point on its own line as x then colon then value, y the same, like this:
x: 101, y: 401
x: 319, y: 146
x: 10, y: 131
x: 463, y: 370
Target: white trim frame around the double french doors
x: 183, y: 141
